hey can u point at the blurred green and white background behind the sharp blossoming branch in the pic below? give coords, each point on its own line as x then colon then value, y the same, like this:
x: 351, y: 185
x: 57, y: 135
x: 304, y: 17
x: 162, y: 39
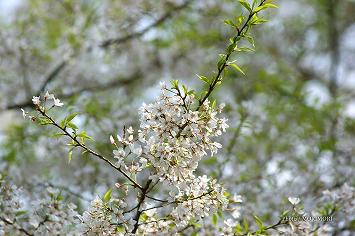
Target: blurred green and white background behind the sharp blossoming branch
x: 292, y: 117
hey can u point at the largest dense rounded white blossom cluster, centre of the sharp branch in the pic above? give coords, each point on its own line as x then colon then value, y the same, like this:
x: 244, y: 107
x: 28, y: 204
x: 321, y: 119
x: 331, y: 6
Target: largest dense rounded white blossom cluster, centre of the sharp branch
x: 175, y: 137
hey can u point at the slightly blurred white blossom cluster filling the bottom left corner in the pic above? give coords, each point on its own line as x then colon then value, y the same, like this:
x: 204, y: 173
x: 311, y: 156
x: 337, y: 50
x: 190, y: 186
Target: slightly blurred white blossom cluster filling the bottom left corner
x: 48, y: 215
